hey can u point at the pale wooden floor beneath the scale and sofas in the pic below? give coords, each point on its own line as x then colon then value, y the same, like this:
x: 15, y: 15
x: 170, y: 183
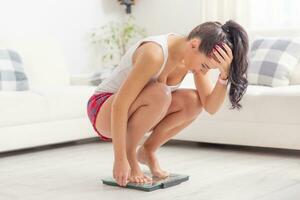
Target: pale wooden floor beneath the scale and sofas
x: 216, y: 172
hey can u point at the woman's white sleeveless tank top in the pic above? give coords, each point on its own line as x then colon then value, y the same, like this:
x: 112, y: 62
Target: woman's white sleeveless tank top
x: 113, y: 82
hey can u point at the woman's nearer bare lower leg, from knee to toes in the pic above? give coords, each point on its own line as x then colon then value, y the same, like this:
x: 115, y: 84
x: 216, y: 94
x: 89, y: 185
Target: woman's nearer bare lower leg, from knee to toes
x: 140, y: 122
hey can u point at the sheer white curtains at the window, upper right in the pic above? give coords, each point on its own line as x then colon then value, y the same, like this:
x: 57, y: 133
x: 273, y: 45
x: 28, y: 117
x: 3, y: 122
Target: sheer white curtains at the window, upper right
x: 255, y: 15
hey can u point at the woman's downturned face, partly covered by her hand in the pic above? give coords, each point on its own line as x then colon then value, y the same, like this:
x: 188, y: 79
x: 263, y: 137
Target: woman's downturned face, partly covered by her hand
x: 195, y: 60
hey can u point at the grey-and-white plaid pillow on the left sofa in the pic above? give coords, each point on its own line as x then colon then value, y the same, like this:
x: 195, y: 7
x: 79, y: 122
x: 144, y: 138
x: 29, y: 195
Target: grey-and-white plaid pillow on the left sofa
x: 12, y: 75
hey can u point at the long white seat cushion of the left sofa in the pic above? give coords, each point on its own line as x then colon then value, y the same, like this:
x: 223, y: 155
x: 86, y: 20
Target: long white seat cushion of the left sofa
x: 42, y: 104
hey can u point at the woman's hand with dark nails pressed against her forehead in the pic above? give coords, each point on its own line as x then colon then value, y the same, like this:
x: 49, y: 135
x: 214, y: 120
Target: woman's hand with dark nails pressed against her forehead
x: 223, y: 61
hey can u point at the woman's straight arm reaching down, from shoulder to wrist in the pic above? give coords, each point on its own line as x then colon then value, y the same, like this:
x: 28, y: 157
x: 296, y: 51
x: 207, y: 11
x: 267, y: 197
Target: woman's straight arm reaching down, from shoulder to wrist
x: 147, y: 63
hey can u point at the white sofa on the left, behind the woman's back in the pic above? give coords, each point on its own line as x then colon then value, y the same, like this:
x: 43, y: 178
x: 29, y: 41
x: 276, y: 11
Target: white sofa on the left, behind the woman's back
x: 53, y: 110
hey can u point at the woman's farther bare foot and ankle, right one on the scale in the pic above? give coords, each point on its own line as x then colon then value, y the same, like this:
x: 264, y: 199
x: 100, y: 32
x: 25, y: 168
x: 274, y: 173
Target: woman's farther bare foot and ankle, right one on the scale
x: 147, y: 158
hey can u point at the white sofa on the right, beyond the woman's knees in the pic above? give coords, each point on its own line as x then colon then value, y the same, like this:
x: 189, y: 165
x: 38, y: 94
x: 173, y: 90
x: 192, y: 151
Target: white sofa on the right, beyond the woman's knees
x: 270, y: 117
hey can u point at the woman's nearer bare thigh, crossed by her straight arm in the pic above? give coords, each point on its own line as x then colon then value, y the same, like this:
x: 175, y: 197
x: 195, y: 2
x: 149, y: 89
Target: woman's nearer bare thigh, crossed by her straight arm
x: 103, y: 118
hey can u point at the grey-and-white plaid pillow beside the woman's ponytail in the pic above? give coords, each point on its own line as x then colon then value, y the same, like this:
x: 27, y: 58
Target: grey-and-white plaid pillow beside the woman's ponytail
x: 272, y: 60
